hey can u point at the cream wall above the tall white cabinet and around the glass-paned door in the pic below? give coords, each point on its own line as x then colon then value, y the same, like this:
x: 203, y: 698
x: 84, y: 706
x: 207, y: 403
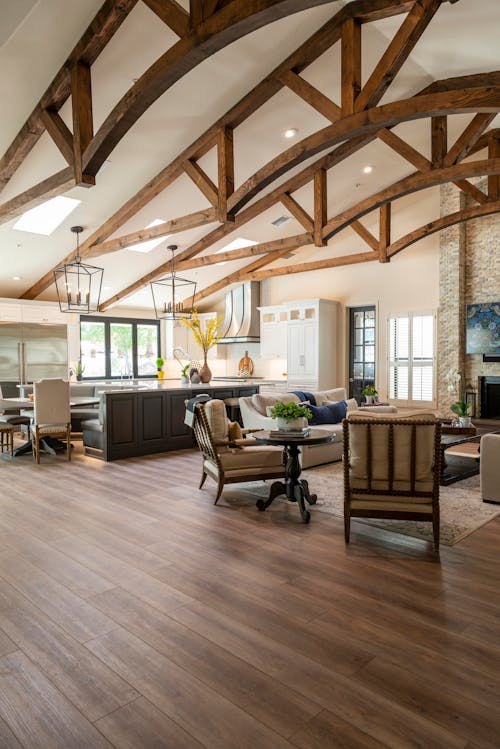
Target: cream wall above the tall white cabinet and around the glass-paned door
x: 409, y: 282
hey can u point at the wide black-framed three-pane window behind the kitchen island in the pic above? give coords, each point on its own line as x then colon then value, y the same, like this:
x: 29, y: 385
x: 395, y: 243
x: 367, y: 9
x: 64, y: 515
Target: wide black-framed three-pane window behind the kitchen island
x: 117, y: 348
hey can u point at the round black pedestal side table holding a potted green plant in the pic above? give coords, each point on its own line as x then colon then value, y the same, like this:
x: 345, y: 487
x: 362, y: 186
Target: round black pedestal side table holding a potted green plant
x: 295, y: 489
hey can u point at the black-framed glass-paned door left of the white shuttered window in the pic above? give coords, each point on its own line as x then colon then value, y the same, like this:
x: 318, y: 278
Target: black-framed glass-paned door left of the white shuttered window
x: 361, y: 350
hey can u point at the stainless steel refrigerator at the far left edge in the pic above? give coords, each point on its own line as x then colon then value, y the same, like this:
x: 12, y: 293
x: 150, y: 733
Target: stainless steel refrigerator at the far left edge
x: 31, y: 351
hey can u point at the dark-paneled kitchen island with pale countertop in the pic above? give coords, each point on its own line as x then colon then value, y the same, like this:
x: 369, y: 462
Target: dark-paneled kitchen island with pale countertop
x: 137, y: 421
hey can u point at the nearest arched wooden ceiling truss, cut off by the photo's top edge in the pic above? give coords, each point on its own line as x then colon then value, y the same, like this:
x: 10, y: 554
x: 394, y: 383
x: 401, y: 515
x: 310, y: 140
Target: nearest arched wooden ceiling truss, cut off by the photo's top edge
x: 204, y: 35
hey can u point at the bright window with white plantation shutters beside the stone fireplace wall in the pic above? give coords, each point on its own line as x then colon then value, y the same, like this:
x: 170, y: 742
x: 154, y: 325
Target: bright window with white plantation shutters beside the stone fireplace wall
x: 411, y: 357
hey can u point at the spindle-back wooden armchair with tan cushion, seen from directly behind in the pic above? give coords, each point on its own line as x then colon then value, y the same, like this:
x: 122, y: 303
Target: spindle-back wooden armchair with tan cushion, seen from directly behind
x: 392, y: 469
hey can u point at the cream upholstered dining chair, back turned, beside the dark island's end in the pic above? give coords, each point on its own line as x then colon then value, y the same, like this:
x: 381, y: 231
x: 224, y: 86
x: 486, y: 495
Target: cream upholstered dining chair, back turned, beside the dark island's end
x: 51, y: 415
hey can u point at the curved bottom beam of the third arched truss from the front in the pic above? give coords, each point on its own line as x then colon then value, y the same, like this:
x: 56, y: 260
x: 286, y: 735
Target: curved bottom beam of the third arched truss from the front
x: 407, y: 186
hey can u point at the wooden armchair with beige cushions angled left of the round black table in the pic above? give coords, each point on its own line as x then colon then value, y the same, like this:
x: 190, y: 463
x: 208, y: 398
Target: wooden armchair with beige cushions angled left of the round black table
x: 228, y: 457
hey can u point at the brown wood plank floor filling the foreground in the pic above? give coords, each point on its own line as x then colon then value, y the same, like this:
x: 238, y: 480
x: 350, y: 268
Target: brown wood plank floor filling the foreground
x: 134, y: 614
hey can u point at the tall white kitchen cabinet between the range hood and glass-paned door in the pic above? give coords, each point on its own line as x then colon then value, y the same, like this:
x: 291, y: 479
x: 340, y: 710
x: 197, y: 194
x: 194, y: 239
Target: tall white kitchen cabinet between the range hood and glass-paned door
x: 311, y: 344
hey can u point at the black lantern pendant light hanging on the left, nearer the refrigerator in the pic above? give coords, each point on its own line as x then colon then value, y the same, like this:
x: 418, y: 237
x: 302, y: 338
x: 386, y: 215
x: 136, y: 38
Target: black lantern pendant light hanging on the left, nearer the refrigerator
x: 78, y: 285
